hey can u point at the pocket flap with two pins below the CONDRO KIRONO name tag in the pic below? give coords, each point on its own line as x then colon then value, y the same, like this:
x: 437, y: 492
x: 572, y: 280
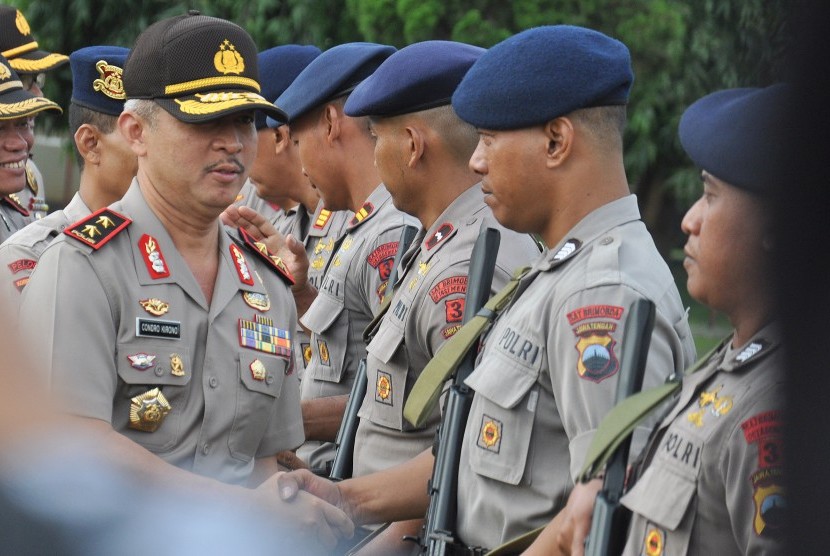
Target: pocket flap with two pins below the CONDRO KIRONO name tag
x: 154, y: 364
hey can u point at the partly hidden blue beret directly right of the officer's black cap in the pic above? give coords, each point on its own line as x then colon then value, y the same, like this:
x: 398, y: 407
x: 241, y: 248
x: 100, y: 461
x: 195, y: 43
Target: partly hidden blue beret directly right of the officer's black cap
x: 278, y: 67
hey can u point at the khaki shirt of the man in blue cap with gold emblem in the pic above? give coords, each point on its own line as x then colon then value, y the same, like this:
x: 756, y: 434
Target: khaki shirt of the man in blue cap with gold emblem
x: 19, y: 254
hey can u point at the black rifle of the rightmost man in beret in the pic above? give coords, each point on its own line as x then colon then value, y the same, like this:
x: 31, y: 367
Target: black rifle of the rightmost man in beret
x: 610, y: 520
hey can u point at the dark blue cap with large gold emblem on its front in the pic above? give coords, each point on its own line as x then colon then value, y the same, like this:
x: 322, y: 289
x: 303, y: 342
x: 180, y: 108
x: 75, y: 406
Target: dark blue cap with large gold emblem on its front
x: 97, y: 78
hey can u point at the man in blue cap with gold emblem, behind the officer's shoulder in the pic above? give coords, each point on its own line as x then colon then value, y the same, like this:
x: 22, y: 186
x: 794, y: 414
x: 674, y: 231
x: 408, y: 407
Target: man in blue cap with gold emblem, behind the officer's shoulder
x: 106, y: 161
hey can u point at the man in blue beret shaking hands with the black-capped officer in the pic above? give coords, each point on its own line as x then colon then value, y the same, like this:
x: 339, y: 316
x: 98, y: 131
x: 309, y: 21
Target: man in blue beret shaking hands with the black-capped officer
x: 549, y: 105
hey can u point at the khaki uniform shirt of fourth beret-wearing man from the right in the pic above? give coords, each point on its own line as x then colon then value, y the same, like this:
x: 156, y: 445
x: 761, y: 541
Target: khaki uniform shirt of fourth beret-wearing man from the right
x: 348, y: 298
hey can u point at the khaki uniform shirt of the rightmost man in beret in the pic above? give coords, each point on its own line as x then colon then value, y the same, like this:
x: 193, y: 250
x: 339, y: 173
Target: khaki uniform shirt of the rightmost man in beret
x: 714, y: 477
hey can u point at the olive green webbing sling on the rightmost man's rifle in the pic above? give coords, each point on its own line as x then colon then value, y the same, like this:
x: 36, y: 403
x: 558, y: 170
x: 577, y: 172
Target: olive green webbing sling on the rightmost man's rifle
x: 627, y: 415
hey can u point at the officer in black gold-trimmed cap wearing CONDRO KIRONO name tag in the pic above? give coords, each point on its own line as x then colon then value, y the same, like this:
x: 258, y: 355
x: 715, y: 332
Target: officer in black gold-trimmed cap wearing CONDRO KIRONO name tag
x: 168, y: 336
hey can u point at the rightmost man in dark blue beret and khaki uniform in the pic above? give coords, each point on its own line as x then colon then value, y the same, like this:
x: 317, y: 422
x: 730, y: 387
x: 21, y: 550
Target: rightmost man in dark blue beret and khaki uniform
x: 712, y: 479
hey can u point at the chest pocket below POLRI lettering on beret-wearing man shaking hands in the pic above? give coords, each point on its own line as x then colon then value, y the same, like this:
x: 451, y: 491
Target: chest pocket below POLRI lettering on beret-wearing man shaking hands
x: 501, y: 421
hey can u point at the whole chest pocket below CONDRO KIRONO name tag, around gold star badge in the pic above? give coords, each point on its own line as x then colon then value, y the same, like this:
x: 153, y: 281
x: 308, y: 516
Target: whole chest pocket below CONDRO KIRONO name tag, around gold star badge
x: 141, y: 367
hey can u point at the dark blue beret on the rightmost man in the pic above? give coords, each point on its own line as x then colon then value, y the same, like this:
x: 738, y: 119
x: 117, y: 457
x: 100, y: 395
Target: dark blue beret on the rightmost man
x: 735, y: 135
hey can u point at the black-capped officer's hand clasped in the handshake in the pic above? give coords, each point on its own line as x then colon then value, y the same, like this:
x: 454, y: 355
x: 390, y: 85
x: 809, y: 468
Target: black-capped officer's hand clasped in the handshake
x: 312, y: 518
